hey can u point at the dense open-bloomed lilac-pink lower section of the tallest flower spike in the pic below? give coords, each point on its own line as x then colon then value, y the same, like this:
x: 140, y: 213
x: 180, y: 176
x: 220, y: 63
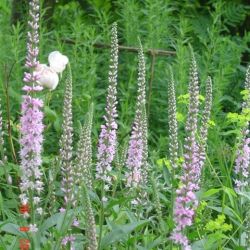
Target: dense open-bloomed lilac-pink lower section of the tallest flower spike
x: 31, y: 141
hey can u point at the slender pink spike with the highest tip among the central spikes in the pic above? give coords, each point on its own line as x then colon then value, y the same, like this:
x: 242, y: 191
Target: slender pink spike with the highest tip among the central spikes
x: 107, y: 138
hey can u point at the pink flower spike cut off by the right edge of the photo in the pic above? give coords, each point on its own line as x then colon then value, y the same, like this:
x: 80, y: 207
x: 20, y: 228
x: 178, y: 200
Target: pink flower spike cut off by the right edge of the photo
x: 242, y: 163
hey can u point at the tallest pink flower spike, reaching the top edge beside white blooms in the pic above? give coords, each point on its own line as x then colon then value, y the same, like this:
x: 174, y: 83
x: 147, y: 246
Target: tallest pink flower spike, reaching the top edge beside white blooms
x: 31, y: 123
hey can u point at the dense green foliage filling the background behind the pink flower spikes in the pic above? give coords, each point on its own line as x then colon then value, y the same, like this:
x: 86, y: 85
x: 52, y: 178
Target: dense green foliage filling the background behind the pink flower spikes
x: 218, y: 33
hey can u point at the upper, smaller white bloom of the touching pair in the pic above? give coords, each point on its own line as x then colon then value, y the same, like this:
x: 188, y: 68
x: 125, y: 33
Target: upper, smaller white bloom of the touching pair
x: 57, y: 61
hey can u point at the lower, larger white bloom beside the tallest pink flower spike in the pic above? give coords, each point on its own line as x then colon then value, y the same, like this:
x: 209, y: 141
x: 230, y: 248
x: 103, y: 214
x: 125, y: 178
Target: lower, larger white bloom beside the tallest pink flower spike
x: 47, y: 77
